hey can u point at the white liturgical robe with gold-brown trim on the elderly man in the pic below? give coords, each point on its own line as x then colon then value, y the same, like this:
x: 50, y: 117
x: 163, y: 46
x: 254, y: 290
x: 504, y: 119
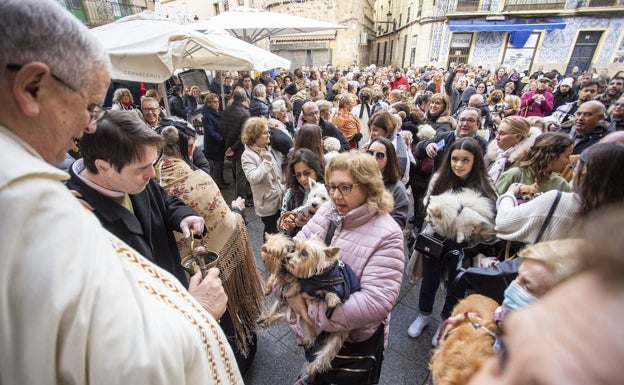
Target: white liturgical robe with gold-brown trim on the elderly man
x: 78, y: 306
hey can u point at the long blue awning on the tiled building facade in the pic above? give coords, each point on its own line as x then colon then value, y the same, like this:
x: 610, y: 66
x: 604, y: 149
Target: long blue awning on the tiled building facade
x: 505, y: 25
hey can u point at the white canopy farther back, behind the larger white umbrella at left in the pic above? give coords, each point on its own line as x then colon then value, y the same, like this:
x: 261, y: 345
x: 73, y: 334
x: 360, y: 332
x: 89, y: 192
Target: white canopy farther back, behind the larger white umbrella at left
x: 252, y: 25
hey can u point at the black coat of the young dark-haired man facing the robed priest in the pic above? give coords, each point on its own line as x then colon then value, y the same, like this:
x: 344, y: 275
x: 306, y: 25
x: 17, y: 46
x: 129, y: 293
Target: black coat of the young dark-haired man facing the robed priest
x: 150, y: 230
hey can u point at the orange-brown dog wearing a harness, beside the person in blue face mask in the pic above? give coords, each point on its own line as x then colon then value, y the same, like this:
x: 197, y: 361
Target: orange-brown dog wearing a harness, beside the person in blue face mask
x: 466, y: 342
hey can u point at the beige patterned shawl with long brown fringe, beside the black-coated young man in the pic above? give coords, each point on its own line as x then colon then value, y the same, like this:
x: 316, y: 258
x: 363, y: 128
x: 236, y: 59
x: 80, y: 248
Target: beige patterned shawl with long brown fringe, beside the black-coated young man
x: 227, y: 236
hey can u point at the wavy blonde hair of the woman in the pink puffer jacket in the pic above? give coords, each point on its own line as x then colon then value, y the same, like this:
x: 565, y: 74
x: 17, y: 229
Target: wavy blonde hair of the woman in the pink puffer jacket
x: 365, y: 172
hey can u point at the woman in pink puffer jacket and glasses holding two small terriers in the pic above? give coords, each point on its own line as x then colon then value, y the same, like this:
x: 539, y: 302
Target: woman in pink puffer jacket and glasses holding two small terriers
x: 371, y: 243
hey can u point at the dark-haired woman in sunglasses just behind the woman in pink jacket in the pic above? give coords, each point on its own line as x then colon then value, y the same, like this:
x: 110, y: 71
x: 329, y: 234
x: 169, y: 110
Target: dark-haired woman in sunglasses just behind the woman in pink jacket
x: 383, y: 150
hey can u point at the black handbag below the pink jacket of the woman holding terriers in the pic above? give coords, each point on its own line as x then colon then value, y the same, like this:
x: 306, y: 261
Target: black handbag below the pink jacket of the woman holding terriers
x: 356, y: 363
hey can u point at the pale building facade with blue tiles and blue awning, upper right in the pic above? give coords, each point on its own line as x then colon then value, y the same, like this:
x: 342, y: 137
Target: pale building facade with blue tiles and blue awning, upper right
x: 520, y: 34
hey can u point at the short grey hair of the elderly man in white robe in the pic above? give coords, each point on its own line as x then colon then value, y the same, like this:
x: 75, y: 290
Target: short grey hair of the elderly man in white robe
x: 42, y: 30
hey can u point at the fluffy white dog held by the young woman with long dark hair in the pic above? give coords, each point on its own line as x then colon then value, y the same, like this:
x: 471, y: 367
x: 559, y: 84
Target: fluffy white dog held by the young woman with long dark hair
x: 463, y: 216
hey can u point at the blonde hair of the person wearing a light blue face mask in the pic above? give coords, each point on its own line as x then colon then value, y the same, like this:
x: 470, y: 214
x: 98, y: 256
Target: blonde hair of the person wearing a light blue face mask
x: 561, y: 257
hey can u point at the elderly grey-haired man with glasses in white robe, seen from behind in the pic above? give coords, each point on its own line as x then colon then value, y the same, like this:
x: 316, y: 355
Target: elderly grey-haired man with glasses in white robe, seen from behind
x: 78, y: 304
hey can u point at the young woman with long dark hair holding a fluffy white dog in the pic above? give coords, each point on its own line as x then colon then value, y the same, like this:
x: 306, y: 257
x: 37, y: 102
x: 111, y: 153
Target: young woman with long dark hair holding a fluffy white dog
x: 462, y: 168
